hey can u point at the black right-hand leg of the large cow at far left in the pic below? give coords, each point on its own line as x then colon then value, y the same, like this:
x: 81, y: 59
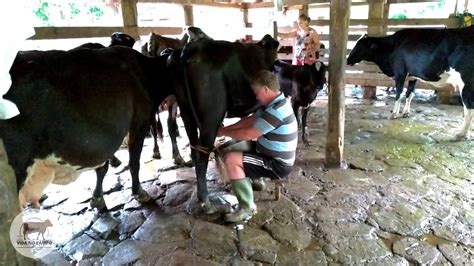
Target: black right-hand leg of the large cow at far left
x: 135, y: 147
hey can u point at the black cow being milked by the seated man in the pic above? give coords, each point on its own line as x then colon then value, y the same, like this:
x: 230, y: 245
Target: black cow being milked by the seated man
x: 212, y: 79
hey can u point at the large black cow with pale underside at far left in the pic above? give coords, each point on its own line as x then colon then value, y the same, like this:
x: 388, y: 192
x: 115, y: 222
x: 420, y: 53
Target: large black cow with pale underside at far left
x: 76, y: 107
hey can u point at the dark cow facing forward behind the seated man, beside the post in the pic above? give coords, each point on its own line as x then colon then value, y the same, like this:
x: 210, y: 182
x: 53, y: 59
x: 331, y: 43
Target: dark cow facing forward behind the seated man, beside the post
x: 302, y: 83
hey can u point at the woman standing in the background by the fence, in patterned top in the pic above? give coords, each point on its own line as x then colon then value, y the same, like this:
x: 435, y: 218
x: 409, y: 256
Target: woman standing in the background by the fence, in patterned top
x: 306, y: 46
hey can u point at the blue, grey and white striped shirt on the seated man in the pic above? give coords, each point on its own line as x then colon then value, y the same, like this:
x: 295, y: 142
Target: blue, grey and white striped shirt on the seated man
x: 278, y: 124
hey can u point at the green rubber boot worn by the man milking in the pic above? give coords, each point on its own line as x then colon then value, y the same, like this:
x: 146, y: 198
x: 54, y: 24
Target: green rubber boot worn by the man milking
x: 242, y: 189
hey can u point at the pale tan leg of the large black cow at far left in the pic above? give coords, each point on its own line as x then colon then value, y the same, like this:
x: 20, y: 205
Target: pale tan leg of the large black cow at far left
x: 39, y: 177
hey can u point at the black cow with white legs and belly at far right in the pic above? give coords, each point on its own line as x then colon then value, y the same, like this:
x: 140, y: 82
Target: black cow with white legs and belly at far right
x: 427, y: 54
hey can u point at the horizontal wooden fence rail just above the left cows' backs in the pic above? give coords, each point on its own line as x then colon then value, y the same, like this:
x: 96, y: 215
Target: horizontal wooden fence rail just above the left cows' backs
x: 45, y: 33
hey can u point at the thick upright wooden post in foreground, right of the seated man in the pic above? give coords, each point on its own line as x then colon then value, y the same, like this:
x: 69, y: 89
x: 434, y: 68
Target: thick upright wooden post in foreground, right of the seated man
x: 339, y: 28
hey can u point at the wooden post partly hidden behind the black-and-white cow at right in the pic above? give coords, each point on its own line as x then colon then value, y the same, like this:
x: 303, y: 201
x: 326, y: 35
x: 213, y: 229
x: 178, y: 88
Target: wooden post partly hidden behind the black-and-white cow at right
x: 376, y: 11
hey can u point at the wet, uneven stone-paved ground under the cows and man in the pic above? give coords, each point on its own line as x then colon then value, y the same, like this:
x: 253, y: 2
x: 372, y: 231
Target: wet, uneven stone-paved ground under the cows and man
x: 406, y: 199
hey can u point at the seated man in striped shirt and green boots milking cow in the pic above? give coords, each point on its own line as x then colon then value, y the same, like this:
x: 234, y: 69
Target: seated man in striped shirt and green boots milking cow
x: 272, y: 155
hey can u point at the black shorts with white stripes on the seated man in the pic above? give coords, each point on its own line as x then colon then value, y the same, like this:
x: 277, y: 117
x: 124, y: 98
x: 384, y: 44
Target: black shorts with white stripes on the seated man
x: 257, y: 165
